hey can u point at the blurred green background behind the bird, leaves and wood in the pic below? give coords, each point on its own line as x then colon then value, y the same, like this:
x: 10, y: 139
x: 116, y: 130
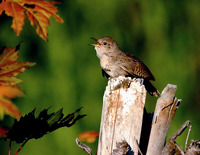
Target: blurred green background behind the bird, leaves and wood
x: 164, y: 34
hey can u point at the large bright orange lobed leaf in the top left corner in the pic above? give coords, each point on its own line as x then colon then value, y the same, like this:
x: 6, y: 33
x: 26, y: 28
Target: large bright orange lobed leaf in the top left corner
x: 38, y: 12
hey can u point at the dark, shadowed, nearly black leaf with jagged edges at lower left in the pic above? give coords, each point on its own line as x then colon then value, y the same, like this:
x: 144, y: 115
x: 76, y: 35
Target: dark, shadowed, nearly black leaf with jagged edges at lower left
x: 29, y: 126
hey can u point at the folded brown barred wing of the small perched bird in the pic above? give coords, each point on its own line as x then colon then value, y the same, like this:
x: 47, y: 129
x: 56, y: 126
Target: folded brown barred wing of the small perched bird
x: 135, y: 67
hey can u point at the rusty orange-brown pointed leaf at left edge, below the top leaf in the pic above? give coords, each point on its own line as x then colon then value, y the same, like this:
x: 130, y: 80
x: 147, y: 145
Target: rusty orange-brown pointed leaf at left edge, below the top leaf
x: 9, y: 67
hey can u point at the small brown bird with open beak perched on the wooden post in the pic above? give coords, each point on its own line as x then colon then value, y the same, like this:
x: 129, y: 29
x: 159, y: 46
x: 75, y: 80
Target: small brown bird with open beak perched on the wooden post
x: 114, y: 62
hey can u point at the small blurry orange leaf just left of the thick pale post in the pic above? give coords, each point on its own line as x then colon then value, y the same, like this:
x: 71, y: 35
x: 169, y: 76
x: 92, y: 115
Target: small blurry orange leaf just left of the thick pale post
x: 89, y: 136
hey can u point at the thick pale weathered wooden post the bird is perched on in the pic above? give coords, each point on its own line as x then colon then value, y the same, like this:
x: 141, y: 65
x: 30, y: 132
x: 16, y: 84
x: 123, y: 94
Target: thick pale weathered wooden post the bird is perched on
x: 122, y: 113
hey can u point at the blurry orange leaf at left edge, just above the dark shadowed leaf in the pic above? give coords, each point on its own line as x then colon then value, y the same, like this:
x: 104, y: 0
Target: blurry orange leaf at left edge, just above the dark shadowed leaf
x: 6, y: 105
